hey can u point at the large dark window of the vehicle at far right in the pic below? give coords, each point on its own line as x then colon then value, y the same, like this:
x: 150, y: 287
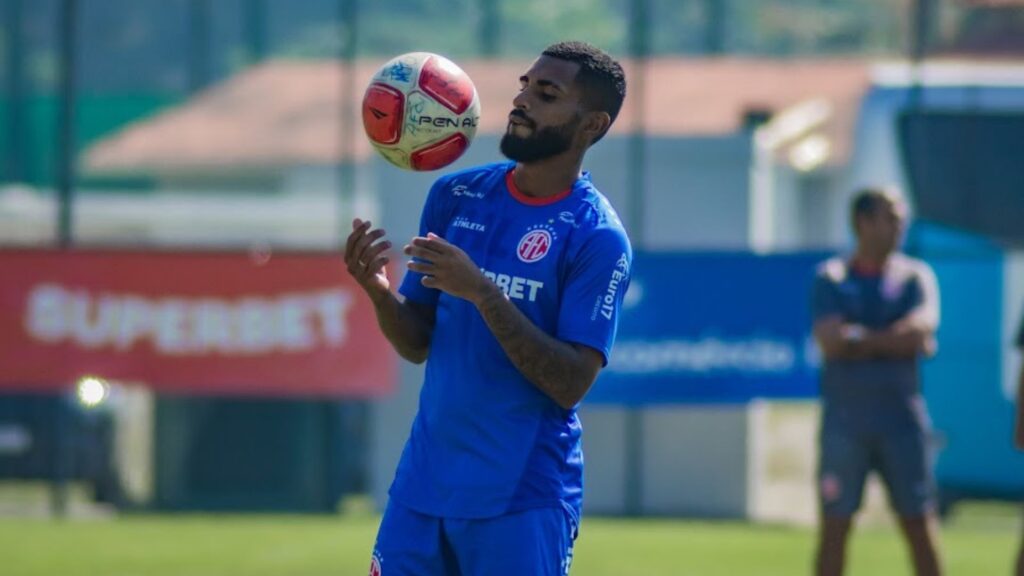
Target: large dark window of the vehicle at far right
x: 967, y: 171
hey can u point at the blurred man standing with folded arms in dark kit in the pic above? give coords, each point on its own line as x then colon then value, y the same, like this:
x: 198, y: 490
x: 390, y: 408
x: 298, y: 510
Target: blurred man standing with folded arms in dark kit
x: 875, y: 317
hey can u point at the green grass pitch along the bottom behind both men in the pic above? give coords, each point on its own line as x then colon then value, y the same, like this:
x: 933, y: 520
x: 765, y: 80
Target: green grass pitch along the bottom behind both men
x: 980, y: 542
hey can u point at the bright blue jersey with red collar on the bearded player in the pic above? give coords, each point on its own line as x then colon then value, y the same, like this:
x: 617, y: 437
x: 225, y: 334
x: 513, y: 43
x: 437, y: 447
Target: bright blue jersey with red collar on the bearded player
x: 487, y: 442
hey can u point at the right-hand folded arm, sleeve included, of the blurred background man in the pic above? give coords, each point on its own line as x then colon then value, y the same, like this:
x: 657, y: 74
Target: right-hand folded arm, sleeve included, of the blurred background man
x: 914, y: 335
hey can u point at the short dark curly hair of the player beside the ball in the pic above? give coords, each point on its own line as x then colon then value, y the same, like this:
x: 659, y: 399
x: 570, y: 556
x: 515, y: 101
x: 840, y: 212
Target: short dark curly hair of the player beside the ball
x: 601, y: 76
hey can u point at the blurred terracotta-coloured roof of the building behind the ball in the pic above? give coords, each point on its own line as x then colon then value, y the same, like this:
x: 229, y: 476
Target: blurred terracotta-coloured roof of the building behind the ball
x: 289, y: 113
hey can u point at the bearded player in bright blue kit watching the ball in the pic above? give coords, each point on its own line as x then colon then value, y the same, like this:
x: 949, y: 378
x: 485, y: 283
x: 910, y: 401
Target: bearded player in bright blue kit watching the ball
x: 513, y: 299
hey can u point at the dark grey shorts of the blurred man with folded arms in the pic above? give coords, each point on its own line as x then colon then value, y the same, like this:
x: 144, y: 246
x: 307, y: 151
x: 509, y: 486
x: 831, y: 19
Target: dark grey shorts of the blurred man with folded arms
x: 904, y: 461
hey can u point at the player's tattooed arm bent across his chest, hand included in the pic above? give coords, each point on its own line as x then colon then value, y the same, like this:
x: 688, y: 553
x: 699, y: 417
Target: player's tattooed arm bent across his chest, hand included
x: 563, y: 371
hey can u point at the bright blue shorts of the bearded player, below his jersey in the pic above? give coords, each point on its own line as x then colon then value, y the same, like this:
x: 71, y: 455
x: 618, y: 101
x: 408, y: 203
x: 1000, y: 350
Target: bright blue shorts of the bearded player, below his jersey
x: 537, y: 542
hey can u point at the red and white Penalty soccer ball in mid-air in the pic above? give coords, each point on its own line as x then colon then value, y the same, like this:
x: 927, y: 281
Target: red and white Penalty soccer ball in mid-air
x: 421, y: 111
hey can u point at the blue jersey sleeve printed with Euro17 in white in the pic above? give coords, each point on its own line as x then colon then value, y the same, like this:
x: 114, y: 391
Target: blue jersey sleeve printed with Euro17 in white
x: 598, y: 280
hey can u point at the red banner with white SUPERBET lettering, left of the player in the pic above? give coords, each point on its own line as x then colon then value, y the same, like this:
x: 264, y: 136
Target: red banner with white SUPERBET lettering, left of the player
x: 292, y: 324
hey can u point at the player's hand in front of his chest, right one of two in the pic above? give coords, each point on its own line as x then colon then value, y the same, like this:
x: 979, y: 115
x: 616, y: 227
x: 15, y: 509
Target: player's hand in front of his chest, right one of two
x: 447, y: 268
